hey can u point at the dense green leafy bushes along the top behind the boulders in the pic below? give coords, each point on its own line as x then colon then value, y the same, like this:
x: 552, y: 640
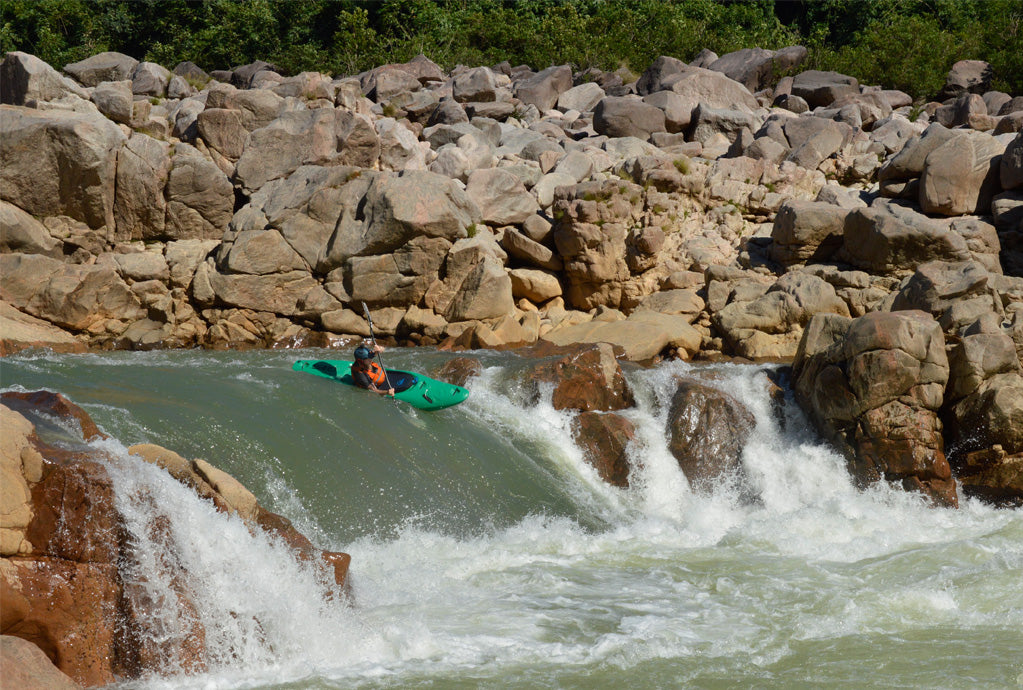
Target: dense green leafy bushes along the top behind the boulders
x: 905, y: 45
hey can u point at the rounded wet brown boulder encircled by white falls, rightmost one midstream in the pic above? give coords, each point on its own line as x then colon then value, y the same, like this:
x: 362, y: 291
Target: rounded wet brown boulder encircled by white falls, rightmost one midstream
x: 707, y: 432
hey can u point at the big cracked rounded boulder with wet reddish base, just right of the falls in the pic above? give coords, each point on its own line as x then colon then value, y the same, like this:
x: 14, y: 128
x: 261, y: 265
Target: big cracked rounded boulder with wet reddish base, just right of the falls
x: 874, y: 386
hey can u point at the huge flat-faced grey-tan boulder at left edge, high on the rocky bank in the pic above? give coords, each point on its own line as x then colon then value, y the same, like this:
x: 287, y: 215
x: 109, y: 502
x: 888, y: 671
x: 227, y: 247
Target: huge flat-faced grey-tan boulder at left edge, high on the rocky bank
x: 60, y: 163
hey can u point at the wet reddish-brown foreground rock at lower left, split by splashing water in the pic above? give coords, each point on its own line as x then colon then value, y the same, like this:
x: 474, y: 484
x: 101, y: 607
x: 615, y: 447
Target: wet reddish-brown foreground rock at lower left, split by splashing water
x: 65, y: 547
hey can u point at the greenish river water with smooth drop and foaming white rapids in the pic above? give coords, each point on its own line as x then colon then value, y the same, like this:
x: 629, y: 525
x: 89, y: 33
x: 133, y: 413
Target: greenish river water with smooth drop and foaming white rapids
x: 487, y: 553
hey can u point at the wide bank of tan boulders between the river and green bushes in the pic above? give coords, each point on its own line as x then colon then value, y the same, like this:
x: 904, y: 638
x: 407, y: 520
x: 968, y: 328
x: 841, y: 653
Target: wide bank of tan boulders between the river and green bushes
x: 699, y: 211
